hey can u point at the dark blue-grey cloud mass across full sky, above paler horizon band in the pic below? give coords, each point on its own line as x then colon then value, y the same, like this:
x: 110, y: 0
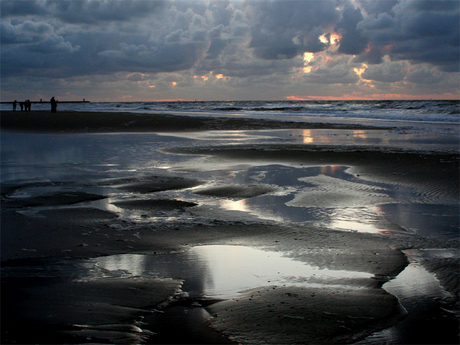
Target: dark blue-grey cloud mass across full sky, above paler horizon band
x: 235, y: 38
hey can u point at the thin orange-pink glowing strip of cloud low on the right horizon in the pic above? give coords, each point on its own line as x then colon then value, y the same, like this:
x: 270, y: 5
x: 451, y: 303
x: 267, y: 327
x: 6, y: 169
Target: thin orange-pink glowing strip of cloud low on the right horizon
x: 388, y: 96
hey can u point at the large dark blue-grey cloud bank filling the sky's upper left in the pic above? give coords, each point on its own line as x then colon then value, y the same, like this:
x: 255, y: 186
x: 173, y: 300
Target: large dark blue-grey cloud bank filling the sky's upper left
x: 44, y: 46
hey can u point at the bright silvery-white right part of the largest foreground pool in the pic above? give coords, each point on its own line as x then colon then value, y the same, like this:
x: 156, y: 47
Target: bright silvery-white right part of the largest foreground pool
x: 236, y: 268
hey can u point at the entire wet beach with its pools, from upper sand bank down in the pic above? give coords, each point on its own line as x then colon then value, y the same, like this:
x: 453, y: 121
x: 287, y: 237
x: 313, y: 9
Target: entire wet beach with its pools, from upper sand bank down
x: 112, y: 225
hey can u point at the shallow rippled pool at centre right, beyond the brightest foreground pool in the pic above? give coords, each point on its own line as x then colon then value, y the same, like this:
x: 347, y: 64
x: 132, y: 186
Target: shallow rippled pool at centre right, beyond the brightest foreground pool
x: 322, y: 180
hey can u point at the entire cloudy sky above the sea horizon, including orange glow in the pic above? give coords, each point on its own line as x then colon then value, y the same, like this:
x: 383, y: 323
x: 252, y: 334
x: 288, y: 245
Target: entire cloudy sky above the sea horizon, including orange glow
x: 130, y: 50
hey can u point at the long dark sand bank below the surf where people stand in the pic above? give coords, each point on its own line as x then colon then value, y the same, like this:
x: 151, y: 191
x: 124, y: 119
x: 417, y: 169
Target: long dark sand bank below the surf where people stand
x: 87, y: 122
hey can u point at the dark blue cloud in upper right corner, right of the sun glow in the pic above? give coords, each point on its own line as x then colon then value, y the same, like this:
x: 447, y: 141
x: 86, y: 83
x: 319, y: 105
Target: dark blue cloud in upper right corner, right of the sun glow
x: 418, y: 31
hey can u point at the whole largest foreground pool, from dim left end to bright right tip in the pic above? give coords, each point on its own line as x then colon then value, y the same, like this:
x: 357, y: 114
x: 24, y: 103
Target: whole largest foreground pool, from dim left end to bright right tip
x: 224, y: 270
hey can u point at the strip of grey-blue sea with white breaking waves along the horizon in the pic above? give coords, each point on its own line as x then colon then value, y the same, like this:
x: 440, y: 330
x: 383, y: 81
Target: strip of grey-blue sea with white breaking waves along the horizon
x: 432, y: 111
